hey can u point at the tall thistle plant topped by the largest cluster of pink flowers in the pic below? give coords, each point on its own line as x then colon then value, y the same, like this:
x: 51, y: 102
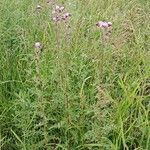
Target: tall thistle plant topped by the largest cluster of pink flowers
x: 61, y: 19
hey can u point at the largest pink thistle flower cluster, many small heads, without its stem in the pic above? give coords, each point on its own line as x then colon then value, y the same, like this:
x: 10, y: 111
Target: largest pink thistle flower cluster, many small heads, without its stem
x: 59, y: 15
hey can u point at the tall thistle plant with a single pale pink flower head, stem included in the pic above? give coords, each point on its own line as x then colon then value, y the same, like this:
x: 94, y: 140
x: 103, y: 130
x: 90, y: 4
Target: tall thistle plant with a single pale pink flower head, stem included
x: 39, y: 91
